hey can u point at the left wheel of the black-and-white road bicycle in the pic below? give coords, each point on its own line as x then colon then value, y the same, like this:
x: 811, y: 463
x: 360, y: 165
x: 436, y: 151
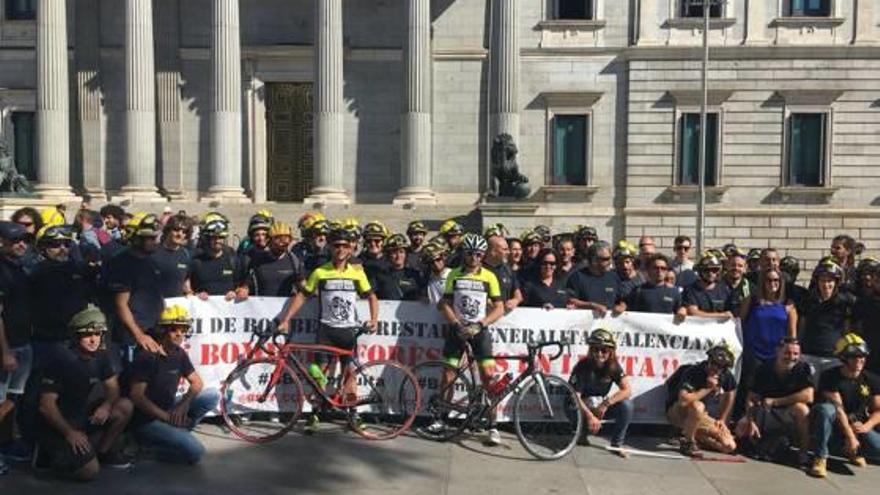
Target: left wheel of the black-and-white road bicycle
x: 444, y: 410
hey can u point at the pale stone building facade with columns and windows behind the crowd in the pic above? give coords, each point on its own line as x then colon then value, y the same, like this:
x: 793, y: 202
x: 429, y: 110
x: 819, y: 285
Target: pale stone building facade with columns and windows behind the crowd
x: 395, y: 103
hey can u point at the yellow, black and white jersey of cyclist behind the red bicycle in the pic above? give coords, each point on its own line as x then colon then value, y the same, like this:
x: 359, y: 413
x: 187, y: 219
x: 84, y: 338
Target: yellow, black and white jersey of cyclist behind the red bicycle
x: 338, y: 292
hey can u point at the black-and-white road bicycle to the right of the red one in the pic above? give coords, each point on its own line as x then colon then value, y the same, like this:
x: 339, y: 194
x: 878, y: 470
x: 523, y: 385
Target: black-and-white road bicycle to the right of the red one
x: 545, y: 413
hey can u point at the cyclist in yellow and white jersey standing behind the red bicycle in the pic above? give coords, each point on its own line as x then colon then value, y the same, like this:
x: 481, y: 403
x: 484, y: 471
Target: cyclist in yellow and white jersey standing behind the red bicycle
x: 338, y: 284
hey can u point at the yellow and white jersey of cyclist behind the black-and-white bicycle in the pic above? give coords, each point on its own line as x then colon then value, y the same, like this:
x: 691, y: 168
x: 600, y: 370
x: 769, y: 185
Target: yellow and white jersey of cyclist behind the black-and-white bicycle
x: 471, y: 292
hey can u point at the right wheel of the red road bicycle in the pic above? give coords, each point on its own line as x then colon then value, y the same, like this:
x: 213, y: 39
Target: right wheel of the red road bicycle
x: 387, y: 400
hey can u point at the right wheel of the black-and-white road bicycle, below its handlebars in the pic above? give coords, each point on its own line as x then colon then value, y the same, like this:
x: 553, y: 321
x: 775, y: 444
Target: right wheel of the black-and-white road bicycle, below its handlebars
x: 546, y: 417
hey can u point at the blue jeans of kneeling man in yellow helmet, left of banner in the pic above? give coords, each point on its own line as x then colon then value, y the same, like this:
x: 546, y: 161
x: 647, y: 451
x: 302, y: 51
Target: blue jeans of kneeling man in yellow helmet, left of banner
x: 179, y: 445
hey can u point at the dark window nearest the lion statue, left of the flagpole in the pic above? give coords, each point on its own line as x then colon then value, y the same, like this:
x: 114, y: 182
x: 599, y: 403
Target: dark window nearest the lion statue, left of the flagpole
x: 570, y: 142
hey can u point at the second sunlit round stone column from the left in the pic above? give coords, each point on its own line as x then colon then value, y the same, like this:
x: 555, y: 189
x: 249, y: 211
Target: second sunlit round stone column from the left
x: 140, y: 102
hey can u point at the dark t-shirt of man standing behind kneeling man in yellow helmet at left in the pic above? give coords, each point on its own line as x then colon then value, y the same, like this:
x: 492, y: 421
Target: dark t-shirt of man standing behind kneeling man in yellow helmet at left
x: 139, y: 276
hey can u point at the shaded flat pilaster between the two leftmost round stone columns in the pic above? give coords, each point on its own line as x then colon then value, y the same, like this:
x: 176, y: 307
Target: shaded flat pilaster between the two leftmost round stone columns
x: 90, y: 98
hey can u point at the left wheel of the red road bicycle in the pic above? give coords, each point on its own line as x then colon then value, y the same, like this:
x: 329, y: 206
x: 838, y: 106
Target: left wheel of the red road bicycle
x: 257, y: 408
